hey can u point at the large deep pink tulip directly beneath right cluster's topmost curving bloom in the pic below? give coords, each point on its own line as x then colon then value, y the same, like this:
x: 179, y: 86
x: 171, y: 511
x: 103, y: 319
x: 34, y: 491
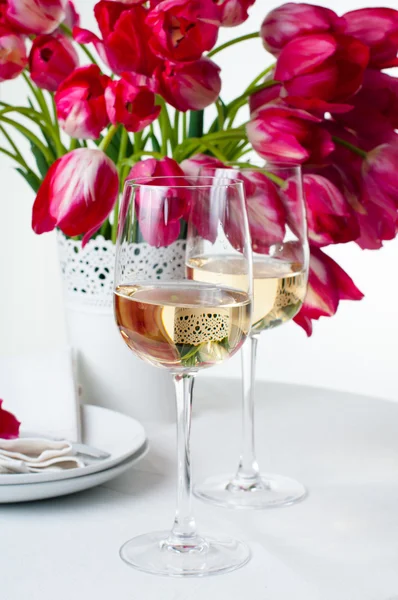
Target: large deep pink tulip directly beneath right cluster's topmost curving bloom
x: 322, y: 70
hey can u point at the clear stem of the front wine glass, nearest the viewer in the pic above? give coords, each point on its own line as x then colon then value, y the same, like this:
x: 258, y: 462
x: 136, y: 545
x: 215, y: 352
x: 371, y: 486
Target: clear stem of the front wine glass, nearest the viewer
x: 183, y: 533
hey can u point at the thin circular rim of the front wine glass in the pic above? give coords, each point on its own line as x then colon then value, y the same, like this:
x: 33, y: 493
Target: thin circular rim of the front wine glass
x: 174, y: 180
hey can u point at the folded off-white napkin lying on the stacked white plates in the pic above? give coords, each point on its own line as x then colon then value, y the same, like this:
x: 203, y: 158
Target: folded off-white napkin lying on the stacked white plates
x: 35, y: 455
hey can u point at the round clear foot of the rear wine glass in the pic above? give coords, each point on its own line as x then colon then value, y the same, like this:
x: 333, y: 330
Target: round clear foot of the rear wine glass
x: 269, y: 491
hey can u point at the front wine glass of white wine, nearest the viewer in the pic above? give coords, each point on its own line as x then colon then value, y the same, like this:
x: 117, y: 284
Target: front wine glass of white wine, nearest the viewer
x: 183, y: 326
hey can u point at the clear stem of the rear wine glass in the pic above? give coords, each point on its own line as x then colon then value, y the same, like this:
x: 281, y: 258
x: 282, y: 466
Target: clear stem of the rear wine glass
x: 248, y: 468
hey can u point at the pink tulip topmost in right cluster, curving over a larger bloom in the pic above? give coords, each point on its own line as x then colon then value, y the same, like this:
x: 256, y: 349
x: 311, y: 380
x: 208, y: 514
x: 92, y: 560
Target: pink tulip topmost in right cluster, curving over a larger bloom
x: 290, y: 21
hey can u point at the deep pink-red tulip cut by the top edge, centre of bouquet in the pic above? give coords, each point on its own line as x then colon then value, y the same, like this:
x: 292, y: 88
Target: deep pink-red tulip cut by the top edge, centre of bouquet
x: 183, y: 29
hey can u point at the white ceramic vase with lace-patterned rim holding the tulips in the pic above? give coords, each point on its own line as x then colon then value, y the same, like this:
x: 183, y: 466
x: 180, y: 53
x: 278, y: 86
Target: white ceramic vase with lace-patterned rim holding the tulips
x: 108, y: 373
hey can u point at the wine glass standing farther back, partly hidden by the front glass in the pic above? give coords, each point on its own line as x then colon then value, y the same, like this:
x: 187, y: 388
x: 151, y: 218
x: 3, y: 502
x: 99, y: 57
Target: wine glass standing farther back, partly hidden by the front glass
x: 277, y: 220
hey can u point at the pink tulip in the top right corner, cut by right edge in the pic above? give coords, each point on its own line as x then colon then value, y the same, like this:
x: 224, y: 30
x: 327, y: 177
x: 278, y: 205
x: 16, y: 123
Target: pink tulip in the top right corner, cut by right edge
x: 378, y: 29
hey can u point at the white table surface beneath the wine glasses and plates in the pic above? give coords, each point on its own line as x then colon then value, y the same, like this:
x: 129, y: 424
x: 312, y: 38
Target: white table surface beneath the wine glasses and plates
x: 341, y: 543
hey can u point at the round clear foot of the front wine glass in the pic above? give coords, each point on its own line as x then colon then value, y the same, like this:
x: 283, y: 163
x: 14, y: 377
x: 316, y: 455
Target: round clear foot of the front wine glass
x: 152, y: 553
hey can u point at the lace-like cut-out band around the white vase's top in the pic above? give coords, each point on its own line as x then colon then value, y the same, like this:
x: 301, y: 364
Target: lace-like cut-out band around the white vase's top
x: 88, y: 272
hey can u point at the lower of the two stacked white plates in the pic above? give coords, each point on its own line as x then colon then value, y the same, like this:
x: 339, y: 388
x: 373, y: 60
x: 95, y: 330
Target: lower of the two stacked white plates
x: 63, y: 487
